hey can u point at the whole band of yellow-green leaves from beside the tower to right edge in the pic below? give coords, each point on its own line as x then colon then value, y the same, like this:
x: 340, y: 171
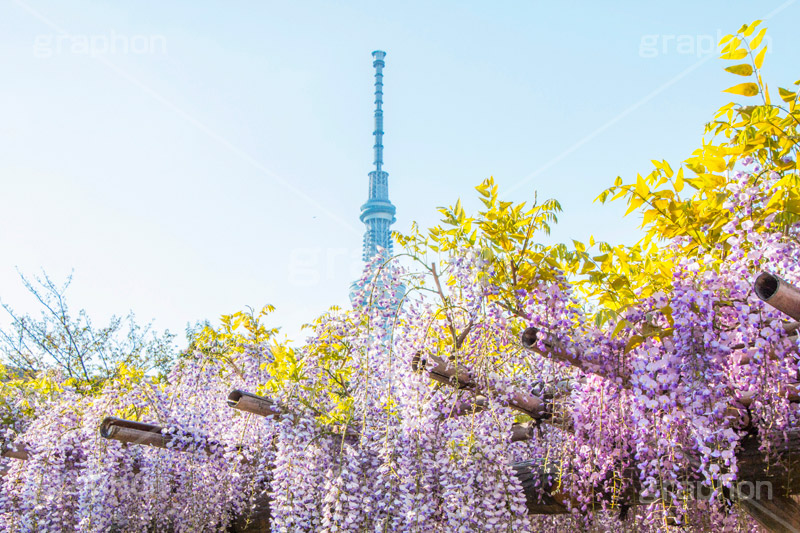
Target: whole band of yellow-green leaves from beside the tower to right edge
x: 686, y: 203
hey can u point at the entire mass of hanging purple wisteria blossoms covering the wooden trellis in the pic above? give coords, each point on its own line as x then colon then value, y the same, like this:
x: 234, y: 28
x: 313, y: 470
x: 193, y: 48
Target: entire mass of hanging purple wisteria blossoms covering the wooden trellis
x: 646, y: 415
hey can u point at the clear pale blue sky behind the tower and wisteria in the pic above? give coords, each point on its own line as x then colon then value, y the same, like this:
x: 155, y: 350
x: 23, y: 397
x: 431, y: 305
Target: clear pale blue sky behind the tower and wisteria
x: 190, y: 158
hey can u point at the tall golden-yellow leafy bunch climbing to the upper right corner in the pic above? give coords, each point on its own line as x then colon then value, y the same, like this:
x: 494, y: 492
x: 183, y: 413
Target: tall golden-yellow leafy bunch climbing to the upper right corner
x: 765, y: 131
